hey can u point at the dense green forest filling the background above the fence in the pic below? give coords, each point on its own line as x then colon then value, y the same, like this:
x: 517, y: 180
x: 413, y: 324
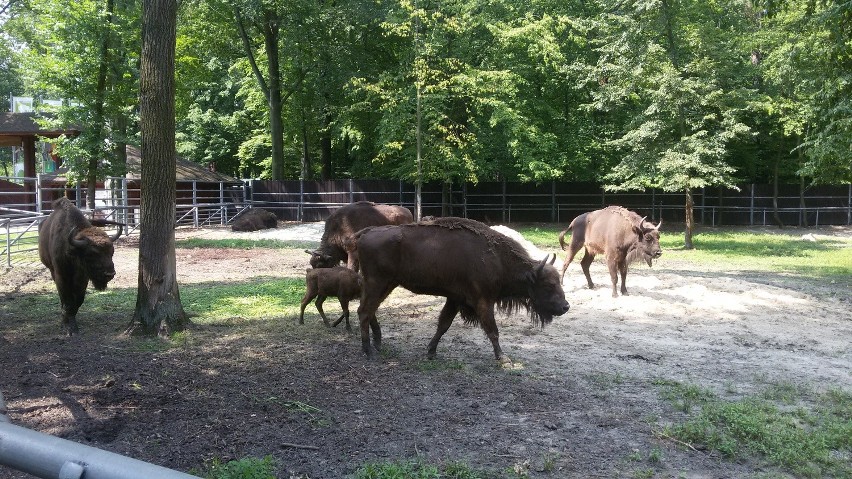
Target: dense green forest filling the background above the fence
x: 671, y: 94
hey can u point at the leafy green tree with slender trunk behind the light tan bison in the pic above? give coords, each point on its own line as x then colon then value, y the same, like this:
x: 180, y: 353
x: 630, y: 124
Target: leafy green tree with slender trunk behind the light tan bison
x: 666, y: 61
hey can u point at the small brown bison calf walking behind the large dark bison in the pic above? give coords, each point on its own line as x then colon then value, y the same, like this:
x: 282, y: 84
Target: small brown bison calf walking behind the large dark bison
x: 339, y: 282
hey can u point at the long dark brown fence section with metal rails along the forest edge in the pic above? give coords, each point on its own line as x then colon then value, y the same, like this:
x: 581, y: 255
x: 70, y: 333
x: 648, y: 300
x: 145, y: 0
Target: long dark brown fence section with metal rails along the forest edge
x: 506, y: 202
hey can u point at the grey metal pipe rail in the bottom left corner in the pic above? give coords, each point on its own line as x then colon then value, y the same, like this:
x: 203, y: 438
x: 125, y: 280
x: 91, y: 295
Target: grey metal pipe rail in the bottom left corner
x: 50, y: 457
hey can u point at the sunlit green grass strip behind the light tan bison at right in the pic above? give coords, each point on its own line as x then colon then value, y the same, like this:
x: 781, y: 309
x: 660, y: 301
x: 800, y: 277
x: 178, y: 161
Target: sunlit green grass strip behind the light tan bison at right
x: 776, y: 252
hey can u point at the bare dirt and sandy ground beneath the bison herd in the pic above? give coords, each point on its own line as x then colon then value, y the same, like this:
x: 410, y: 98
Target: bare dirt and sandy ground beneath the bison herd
x: 579, y: 399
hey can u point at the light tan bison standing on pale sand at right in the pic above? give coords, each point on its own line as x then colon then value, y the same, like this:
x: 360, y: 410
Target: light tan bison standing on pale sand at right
x: 620, y: 234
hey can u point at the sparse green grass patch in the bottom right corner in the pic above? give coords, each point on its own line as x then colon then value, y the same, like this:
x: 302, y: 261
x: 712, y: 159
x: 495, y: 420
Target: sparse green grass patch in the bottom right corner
x: 807, y: 437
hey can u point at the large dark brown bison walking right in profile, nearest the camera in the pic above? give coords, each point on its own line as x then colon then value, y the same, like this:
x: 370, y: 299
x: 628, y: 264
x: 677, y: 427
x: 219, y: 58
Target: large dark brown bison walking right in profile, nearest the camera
x: 473, y: 266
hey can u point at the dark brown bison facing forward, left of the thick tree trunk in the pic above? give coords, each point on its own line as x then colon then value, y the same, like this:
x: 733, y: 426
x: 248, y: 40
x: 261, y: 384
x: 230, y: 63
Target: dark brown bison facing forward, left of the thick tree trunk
x: 75, y: 252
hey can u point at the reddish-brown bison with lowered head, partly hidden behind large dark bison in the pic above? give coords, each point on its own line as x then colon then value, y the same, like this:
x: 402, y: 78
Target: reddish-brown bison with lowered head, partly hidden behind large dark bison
x: 347, y: 221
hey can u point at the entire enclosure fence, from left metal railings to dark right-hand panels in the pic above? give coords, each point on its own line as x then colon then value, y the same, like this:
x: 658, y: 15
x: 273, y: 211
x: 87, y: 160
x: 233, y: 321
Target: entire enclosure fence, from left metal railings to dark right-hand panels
x: 25, y: 202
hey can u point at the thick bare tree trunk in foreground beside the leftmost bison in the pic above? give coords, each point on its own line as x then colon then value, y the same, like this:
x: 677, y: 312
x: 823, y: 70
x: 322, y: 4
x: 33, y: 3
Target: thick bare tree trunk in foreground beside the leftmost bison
x: 158, y: 307
